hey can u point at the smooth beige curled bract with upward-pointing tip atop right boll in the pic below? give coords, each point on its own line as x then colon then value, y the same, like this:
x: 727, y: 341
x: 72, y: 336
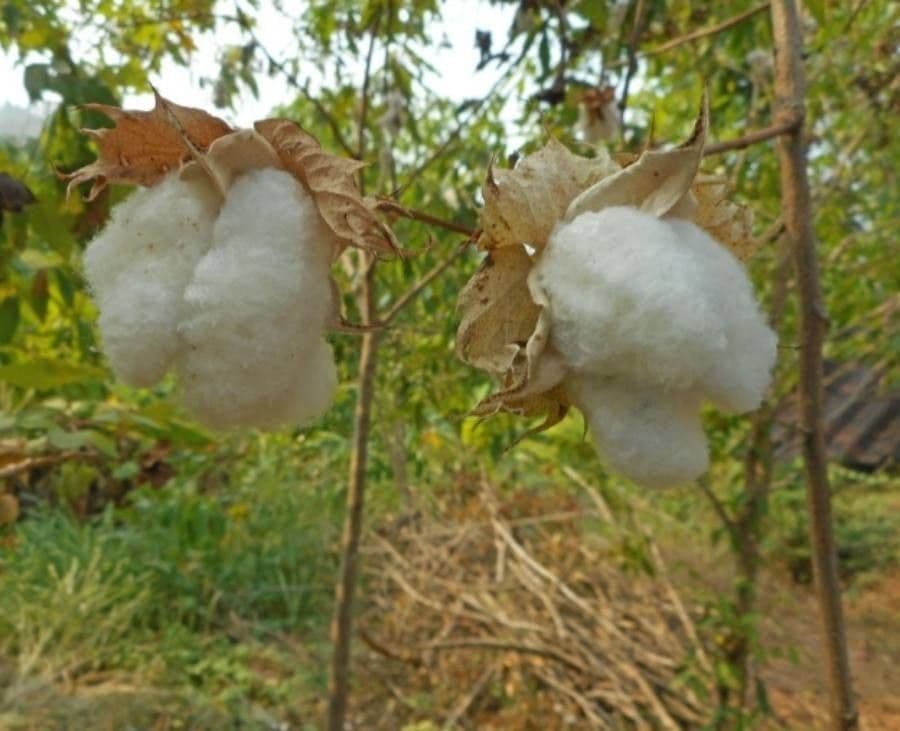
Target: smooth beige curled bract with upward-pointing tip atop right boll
x: 656, y: 183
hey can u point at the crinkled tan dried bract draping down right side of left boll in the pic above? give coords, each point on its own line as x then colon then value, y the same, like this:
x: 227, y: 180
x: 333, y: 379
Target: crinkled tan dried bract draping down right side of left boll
x: 333, y: 184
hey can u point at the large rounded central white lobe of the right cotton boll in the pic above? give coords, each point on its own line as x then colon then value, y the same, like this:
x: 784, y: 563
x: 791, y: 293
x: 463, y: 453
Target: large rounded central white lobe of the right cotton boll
x: 627, y: 299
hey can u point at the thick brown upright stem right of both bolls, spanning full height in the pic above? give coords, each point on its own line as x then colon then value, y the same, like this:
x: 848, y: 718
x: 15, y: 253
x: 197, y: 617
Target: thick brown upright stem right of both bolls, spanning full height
x: 790, y: 90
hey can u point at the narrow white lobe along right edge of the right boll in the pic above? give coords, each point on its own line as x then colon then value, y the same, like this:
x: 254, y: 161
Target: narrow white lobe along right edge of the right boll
x: 737, y: 378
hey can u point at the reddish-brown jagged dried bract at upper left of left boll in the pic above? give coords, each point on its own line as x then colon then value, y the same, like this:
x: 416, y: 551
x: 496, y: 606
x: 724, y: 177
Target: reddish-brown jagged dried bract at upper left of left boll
x: 143, y: 146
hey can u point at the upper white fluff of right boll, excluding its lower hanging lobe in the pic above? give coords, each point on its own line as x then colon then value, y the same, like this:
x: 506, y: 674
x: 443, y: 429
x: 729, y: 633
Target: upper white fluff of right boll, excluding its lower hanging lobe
x: 659, y: 302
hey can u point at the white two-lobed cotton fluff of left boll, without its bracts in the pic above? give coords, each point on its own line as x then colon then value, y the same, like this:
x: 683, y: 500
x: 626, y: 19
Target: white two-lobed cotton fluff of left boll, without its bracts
x: 237, y: 300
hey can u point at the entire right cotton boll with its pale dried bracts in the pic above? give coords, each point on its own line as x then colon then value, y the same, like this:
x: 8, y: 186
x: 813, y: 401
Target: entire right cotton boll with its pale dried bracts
x: 617, y: 286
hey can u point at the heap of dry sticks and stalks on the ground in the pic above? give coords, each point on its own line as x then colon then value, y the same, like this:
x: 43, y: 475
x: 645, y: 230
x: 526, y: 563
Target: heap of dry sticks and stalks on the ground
x: 507, y: 613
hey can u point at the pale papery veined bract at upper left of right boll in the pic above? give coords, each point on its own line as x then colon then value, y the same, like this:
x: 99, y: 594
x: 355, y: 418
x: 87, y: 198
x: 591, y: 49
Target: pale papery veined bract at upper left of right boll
x: 523, y: 205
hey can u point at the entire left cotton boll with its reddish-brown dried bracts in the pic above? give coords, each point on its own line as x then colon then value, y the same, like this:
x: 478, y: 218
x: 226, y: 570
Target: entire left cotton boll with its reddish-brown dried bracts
x: 218, y: 268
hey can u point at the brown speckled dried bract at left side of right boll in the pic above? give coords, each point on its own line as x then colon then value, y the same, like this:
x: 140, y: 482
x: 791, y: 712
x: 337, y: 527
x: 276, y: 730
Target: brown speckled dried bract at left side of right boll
x: 498, y: 312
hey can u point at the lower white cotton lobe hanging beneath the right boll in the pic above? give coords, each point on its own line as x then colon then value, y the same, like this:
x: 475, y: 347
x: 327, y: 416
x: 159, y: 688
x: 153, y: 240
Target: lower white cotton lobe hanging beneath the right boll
x: 646, y: 433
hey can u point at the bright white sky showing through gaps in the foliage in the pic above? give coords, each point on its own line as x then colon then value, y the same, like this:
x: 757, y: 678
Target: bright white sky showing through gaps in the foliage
x: 457, y: 78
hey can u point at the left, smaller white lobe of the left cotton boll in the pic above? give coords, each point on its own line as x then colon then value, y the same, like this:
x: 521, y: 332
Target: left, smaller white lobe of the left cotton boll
x: 138, y: 268
